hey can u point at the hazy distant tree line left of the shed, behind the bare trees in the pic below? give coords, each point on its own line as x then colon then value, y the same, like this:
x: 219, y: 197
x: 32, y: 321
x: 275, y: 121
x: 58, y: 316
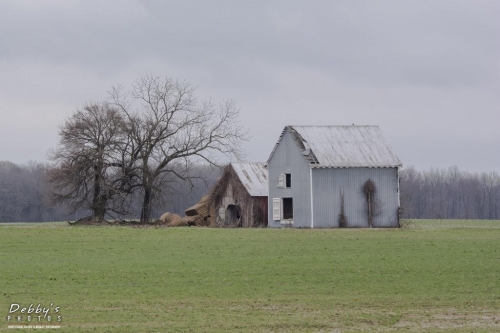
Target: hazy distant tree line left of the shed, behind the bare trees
x: 25, y: 195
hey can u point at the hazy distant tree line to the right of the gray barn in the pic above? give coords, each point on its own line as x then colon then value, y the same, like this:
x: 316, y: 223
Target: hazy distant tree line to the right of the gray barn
x: 449, y: 193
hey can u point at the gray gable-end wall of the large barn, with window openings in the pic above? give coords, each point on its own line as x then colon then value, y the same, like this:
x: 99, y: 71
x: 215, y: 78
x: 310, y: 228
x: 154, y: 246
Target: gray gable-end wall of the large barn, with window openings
x: 287, y: 158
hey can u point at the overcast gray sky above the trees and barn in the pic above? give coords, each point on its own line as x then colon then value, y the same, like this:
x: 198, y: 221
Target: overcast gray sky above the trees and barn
x: 426, y: 72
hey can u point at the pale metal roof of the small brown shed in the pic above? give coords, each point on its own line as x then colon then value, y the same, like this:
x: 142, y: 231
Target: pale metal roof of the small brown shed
x: 254, y: 177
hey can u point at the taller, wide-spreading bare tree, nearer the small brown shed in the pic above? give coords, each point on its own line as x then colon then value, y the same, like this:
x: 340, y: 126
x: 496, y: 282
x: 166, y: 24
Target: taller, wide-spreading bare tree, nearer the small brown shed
x: 171, y: 130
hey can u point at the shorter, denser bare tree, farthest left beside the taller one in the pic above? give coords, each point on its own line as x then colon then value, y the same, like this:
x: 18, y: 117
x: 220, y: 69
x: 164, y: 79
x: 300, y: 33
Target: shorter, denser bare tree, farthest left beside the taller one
x: 88, y: 165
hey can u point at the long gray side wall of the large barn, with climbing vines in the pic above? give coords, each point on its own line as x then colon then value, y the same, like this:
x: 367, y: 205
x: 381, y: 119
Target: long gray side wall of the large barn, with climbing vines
x: 327, y: 185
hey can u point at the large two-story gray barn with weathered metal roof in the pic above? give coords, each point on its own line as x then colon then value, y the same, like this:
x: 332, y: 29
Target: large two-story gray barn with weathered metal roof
x: 333, y: 176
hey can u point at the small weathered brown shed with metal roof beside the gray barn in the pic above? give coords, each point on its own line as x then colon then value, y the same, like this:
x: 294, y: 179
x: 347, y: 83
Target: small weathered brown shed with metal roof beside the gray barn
x: 239, y: 197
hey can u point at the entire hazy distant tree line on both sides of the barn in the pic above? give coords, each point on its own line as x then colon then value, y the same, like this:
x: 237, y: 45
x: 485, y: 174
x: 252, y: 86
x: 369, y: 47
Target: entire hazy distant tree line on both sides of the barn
x: 434, y: 194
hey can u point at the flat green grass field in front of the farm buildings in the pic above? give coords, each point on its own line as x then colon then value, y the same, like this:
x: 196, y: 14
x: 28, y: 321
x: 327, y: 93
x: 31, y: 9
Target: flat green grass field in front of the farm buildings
x: 431, y: 276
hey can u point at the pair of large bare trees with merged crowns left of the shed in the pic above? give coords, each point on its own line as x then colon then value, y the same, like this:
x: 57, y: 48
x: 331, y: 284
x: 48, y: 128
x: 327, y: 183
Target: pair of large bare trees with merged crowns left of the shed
x: 141, y: 142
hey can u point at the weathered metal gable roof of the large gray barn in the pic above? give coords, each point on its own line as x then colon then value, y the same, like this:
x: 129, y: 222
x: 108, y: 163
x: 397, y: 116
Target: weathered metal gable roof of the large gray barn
x: 342, y: 146
